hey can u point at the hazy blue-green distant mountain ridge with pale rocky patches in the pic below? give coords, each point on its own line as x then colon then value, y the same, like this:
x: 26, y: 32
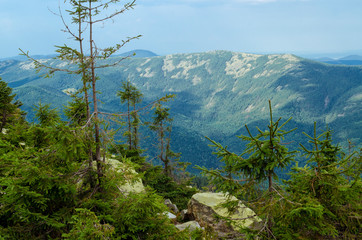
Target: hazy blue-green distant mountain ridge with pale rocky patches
x: 217, y: 93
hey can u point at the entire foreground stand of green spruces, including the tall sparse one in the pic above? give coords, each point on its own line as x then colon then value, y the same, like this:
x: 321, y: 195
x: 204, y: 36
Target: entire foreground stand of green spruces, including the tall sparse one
x: 69, y: 175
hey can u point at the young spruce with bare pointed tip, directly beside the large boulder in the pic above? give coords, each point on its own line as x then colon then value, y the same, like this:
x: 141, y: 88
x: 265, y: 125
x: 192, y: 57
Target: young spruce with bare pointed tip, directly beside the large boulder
x: 244, y: 175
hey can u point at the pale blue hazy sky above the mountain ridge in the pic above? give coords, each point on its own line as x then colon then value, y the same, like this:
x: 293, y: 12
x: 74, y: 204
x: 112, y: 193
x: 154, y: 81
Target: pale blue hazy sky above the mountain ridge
x: 302, y: 27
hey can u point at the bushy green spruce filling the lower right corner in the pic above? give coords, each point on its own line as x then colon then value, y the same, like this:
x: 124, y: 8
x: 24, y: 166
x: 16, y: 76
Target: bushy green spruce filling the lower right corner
x: 325, y: 194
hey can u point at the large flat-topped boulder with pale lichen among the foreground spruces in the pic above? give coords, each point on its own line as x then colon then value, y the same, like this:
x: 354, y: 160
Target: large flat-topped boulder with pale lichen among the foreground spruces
x: 206, y: 206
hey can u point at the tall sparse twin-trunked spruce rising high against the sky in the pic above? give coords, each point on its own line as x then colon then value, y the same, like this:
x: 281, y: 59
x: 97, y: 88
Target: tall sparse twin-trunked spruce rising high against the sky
x: 86, y: 14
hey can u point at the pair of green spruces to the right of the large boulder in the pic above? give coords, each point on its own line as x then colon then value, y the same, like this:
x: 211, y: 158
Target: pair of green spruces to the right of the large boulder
x: 320, y: 201
